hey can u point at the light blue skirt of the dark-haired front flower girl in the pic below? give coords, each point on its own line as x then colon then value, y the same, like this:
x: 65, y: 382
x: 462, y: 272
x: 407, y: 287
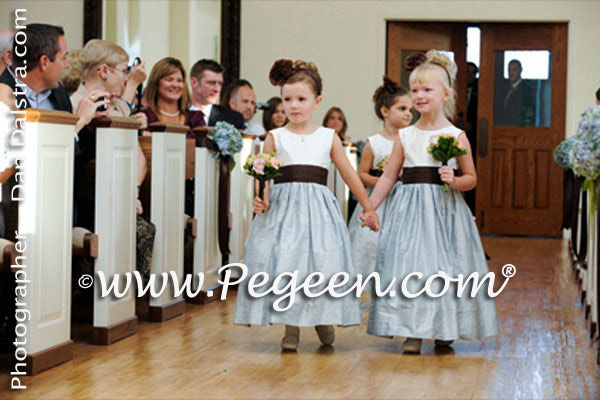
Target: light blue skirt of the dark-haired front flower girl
x: 302, y: 230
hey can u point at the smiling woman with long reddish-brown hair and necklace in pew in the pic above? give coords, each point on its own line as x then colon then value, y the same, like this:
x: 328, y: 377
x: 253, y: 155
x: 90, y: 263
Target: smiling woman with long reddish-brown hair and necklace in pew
x: 168, y: 96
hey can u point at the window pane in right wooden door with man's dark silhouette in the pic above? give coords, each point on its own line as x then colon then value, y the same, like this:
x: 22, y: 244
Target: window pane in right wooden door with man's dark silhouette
x: 522, y: 88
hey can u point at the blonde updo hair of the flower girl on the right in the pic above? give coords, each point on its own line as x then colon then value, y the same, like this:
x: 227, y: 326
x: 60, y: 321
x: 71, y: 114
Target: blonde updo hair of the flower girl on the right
x: 437, y: 65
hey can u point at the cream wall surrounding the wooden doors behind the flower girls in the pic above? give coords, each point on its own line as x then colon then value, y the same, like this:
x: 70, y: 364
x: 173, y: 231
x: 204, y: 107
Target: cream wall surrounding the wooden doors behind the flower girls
x: 346, y: 39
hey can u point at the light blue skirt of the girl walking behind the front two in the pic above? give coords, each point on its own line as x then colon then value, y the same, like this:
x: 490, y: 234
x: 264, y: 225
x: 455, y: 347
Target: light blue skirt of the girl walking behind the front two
x: 364, y: 240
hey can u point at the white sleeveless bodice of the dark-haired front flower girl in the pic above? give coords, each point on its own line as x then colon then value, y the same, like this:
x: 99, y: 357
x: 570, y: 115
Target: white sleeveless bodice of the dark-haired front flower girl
x: 311, y: 149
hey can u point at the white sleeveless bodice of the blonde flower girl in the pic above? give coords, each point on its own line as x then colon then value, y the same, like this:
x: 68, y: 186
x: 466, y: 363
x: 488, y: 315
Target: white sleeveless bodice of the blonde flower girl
x: 415, y: 142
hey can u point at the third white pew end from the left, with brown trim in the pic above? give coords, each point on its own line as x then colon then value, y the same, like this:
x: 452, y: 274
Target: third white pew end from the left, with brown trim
x: 165, y: 153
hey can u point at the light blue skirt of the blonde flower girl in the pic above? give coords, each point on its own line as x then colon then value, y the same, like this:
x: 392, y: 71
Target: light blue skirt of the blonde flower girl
x: 428, y: 230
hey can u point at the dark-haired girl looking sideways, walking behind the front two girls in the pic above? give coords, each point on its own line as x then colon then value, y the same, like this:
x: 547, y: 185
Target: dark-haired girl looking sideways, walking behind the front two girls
x: 392, y: 106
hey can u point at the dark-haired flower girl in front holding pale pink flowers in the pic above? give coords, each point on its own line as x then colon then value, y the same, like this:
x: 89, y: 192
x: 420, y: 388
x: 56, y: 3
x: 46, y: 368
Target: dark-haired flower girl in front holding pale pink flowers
x: 300, y: 225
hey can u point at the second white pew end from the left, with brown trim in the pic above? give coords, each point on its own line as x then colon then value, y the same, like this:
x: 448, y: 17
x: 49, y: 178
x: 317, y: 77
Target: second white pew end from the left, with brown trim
x: 115, y: 215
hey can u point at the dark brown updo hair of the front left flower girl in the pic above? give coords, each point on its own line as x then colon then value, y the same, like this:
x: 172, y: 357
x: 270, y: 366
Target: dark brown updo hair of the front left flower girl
x: 288, y: 72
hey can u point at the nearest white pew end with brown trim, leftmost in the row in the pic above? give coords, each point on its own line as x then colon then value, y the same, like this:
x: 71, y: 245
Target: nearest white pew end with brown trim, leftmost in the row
x: 45, y: 220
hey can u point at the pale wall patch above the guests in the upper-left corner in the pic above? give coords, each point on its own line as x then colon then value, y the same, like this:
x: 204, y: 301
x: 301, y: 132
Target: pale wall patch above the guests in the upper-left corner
x: 66, y: 13
